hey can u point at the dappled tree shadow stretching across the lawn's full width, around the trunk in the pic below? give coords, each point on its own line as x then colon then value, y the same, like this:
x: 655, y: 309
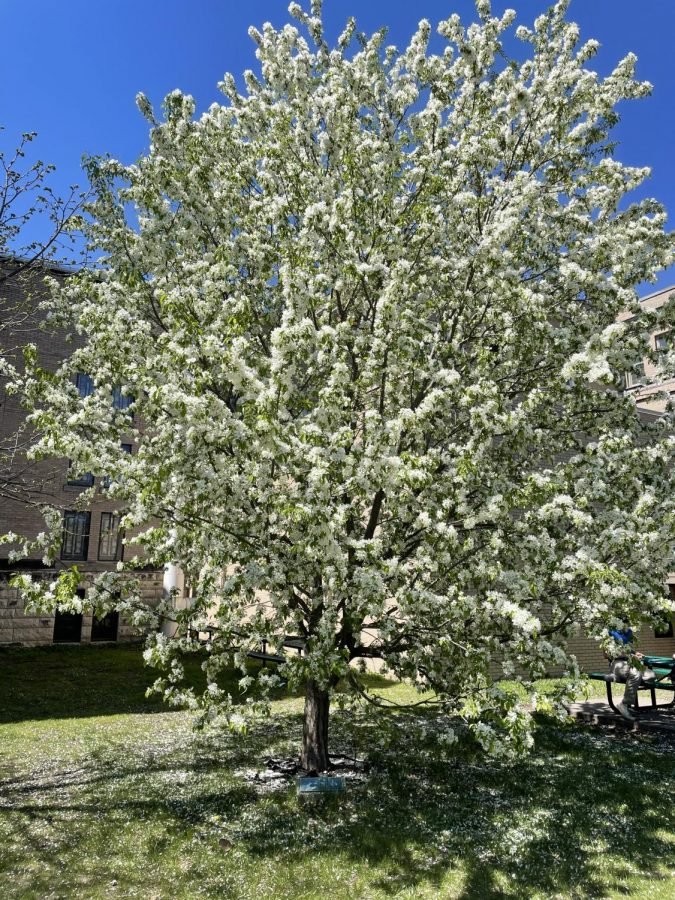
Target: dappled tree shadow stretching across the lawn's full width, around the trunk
x: 541, y: 827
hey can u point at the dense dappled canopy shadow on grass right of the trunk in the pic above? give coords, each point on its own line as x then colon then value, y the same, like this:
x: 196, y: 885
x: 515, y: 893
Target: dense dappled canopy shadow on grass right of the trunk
x: 543, y: 826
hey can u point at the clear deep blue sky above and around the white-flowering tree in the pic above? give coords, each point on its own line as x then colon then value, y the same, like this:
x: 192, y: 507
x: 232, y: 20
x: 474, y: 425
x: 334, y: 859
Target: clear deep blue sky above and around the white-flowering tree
x: 71, y: 70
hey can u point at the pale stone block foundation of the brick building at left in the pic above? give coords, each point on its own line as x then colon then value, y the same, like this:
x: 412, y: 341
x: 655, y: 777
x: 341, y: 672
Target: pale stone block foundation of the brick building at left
x: 16, y: 627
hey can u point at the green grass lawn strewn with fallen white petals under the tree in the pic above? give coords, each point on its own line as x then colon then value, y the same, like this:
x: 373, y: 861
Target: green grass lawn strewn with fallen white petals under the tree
x: 104, y: 793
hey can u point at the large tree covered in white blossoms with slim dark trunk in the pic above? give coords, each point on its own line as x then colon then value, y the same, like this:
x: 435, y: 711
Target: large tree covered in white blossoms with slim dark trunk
x: 367, y: 309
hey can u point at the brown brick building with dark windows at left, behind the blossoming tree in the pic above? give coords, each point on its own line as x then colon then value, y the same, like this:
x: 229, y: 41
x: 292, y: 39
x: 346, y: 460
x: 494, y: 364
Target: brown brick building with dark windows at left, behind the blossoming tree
x: 91, y: 537
